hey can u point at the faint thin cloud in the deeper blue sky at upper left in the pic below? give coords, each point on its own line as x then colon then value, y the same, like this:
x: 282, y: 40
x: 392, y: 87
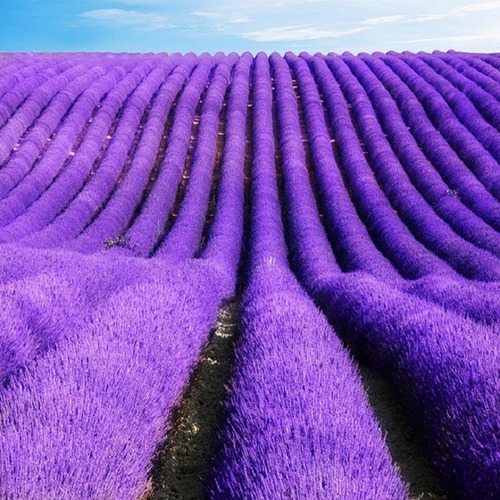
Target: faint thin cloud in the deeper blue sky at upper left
x: 123, y: 17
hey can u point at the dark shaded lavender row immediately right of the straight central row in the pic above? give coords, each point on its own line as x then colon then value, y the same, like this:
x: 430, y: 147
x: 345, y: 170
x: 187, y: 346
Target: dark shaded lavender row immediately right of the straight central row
x: 414, y: 352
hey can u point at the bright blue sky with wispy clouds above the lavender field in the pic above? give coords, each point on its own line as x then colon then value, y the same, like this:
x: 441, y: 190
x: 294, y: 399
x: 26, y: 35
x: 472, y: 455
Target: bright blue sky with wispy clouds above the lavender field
x: 239, y: 25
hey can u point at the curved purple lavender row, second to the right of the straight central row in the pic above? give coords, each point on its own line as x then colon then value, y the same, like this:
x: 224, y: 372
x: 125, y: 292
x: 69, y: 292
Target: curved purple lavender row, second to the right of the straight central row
x: 350, y: 240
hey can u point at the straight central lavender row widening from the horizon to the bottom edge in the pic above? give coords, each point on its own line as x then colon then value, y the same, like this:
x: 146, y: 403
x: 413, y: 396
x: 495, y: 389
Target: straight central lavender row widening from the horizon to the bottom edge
x: 296, y: 421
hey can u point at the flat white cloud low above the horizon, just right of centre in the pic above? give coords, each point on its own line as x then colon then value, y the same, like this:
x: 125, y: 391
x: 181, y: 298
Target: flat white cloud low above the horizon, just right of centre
x: 296, y: 33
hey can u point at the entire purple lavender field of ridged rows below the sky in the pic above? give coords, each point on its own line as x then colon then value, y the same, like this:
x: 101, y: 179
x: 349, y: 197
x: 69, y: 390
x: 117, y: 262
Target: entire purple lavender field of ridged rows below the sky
x: 345, y: 209
